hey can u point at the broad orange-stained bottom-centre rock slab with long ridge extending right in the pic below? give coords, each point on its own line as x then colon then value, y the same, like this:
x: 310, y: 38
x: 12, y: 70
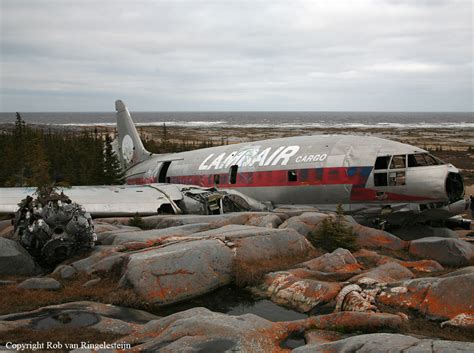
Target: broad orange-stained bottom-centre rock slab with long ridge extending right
x: 201, y: 330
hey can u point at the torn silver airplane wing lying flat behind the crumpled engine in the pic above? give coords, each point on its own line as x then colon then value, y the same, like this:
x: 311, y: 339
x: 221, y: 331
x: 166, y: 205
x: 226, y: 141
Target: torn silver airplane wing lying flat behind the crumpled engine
x: 127, y: 200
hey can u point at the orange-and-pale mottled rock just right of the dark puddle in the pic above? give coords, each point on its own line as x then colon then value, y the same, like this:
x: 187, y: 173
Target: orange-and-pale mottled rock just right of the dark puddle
x: 302, y: 294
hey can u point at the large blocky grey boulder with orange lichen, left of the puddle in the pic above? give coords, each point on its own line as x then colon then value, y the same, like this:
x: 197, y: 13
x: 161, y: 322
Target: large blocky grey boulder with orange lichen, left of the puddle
x: 179, y: 271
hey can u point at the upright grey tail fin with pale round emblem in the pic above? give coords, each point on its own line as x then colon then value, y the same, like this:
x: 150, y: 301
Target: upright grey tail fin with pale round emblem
x: 130, y: 147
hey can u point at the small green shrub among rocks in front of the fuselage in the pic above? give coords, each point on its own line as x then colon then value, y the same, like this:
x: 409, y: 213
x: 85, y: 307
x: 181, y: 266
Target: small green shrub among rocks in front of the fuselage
x: 333, y: 233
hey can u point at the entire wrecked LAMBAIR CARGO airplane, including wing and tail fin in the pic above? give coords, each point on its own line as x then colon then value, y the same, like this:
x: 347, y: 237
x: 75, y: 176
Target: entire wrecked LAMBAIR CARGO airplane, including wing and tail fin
x: 377, y: 180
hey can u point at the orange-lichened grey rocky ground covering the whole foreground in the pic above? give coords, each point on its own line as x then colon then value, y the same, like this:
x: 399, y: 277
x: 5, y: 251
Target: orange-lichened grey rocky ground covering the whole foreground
x: 390, y: 295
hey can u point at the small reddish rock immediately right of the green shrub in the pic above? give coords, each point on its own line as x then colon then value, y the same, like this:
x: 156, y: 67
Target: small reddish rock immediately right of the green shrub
x: 375, y: 238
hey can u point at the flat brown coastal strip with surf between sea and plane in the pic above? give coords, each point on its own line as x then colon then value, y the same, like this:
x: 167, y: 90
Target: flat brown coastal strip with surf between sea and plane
x: 455, y: 146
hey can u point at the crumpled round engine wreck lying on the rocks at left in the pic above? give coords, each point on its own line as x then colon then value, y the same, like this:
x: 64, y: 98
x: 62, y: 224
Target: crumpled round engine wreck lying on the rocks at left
x: 52, y: 228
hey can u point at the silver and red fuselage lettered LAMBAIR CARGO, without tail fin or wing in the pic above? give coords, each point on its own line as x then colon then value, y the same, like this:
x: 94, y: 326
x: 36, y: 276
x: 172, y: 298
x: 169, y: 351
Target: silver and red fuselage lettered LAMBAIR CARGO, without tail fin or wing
x: 315, y: 170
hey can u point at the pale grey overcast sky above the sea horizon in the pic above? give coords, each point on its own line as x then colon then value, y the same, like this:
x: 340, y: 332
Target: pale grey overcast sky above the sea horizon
x: 386, y: 55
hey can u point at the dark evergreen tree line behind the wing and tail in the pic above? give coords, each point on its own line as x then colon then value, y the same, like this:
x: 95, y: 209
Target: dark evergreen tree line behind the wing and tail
x: 33, y: 156
